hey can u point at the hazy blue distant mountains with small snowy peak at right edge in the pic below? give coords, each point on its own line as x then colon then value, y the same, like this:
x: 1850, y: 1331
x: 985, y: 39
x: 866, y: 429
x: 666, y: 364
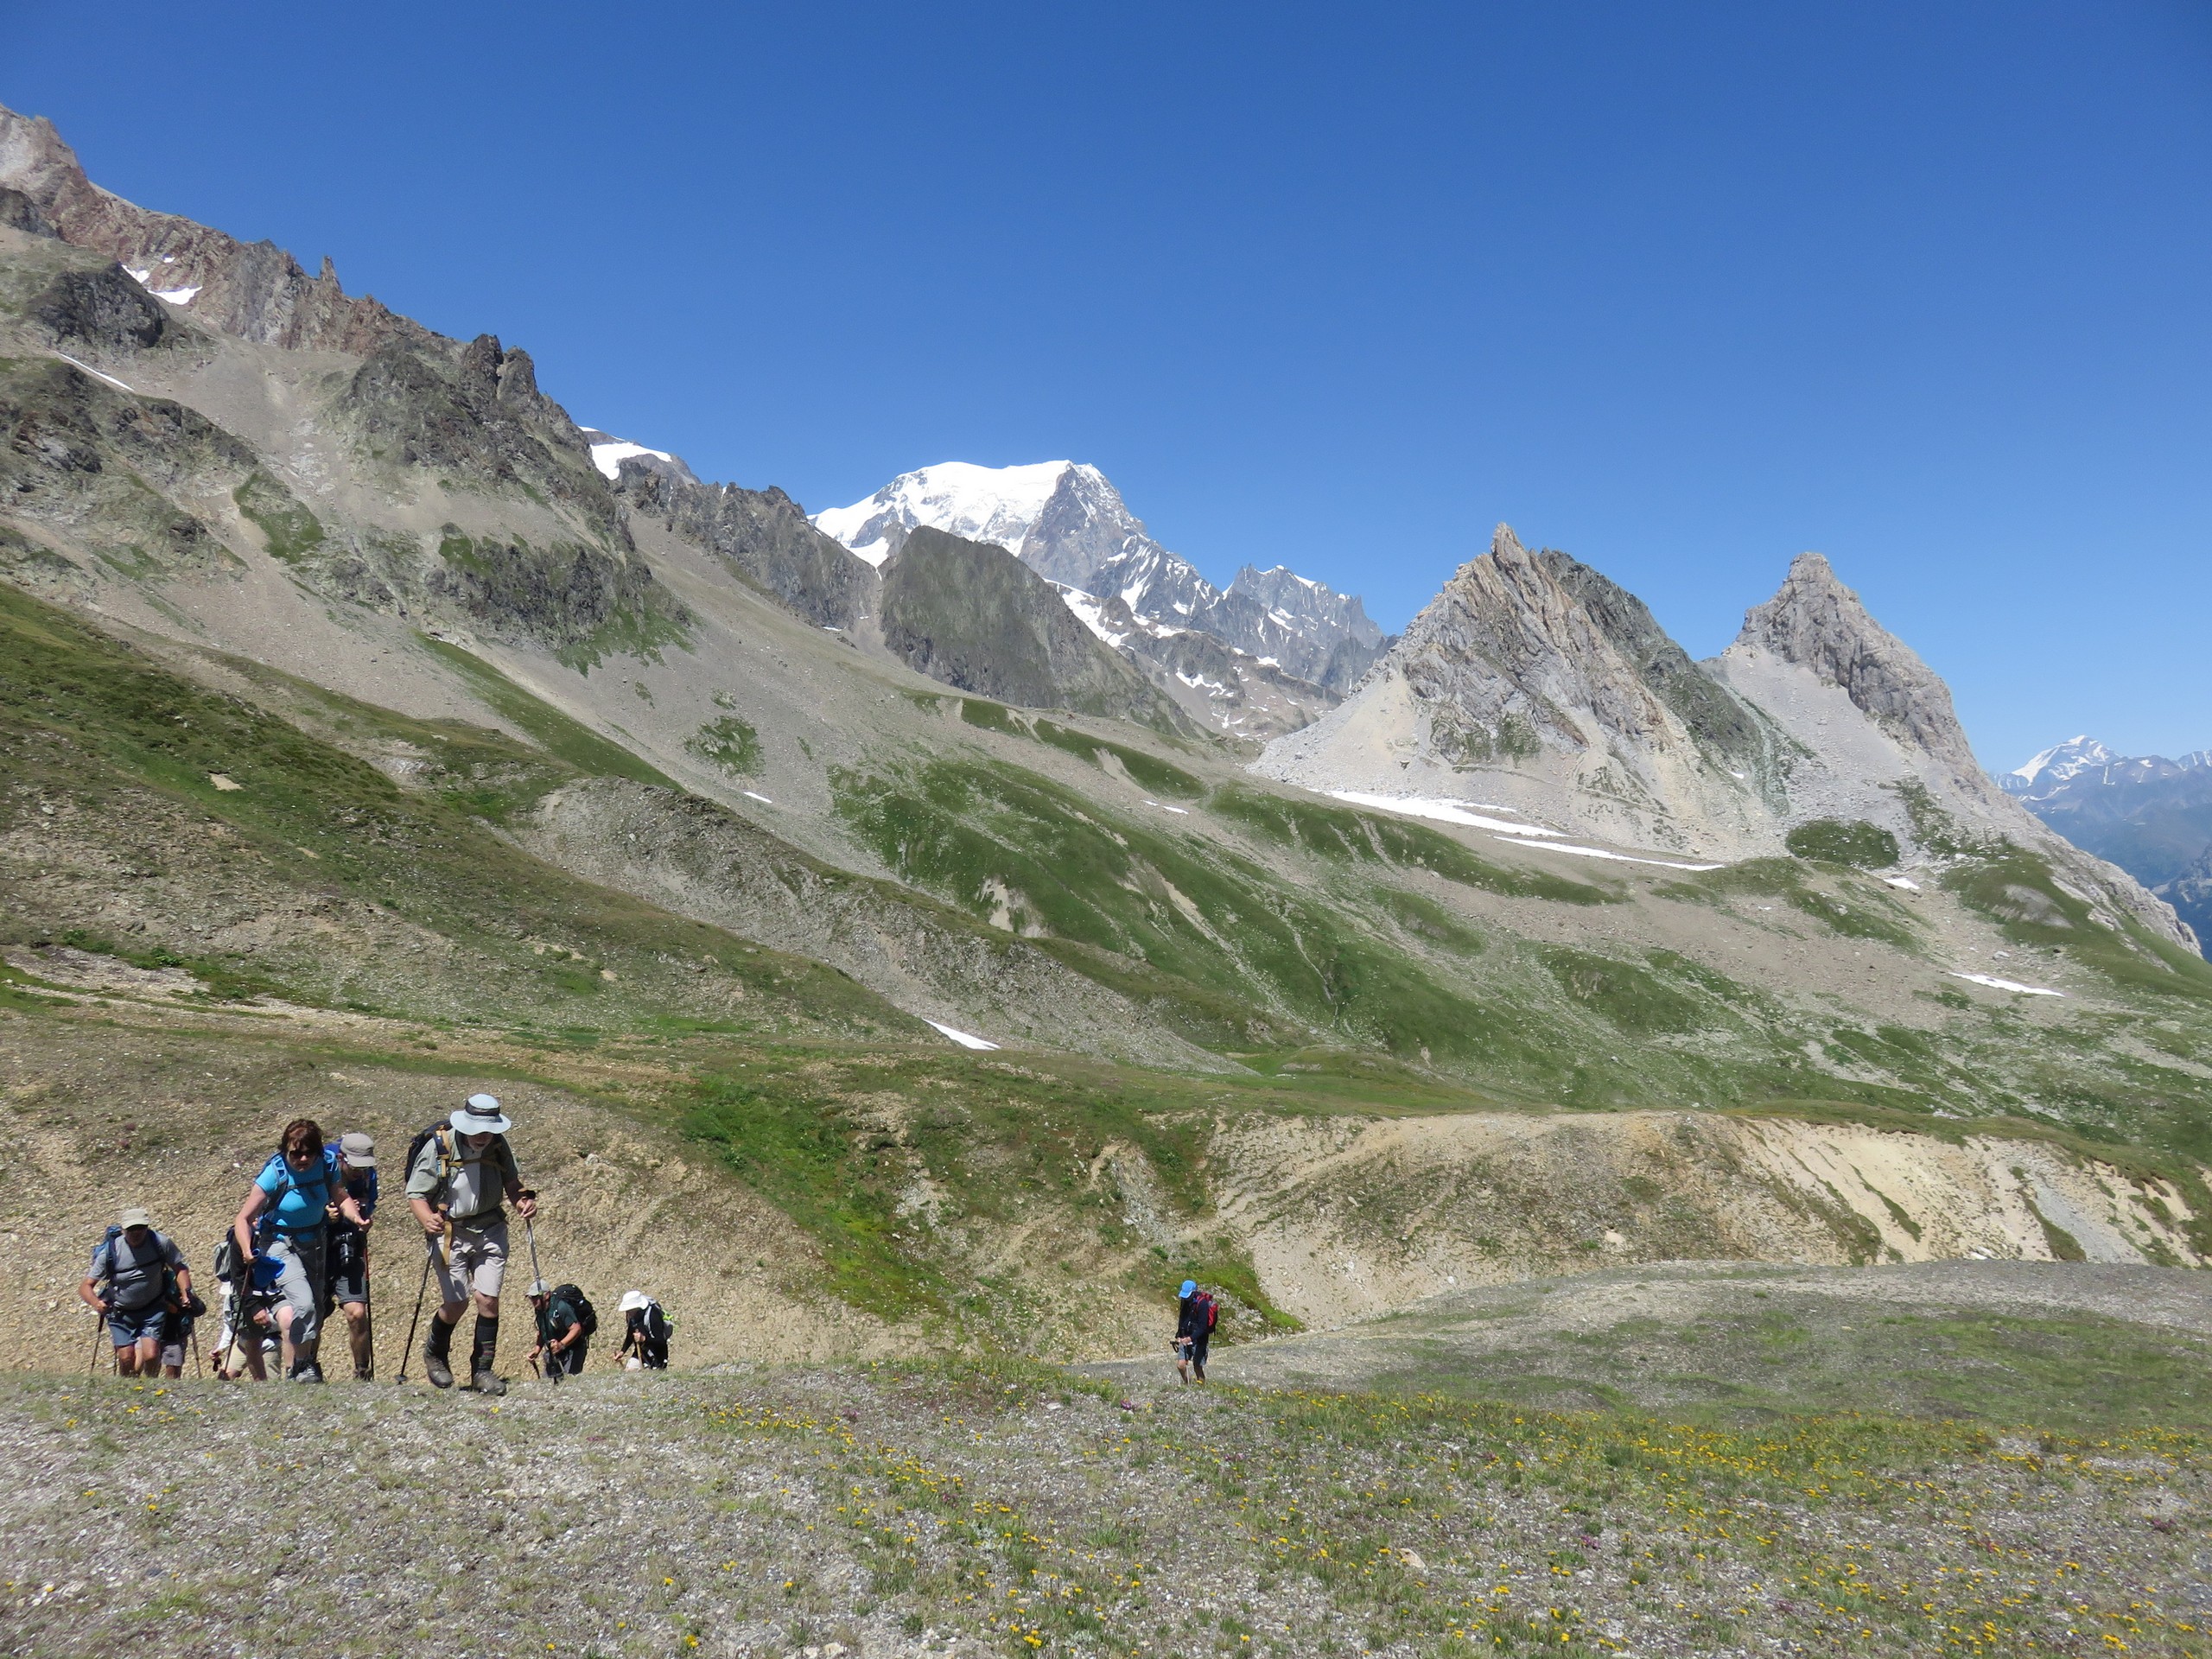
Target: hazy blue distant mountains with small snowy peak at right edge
x: 2149, y: 815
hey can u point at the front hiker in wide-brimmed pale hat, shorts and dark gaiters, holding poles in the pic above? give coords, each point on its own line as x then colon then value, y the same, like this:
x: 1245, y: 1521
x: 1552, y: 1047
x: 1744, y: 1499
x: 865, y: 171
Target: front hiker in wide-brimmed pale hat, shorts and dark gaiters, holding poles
x: 457, y: 1182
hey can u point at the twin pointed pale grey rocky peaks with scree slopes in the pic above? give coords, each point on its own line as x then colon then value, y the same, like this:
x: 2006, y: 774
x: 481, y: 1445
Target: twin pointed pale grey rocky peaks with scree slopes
x: 1545, y: 689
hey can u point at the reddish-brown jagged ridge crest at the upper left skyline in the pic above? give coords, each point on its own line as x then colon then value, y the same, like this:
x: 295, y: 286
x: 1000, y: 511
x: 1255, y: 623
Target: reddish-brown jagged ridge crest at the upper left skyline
x: 253, y: 291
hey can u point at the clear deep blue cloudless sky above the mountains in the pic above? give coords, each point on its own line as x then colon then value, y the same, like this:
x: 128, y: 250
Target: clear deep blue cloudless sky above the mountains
x: 1678, y: 289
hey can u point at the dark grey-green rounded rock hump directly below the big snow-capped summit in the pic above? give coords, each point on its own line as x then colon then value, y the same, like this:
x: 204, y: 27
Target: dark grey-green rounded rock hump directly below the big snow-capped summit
x: 977, y: 618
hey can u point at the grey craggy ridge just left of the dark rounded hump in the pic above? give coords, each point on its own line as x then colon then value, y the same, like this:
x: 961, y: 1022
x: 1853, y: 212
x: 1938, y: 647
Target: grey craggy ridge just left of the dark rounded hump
x: 762, y: 534
